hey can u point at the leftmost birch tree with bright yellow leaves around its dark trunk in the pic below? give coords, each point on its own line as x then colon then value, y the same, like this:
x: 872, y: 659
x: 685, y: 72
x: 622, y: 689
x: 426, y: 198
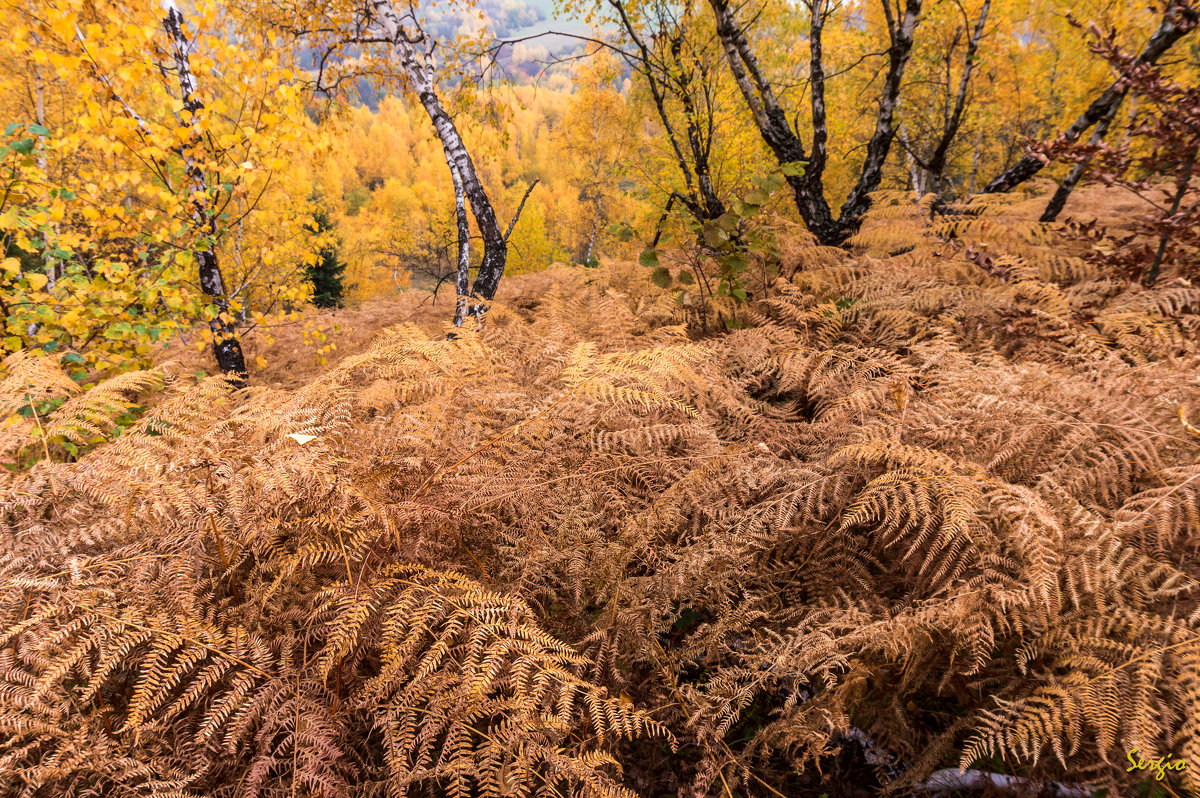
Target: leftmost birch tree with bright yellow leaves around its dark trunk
x: 163, y: 196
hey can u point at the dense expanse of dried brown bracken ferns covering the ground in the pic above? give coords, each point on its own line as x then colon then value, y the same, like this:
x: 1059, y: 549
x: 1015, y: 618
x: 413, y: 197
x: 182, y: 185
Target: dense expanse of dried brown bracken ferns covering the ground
x: 934, y: 507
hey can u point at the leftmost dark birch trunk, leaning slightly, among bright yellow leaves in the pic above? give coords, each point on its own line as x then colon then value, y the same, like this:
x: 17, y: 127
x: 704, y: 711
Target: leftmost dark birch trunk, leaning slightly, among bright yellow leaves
x: 226, y: 346
